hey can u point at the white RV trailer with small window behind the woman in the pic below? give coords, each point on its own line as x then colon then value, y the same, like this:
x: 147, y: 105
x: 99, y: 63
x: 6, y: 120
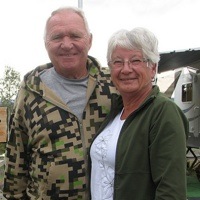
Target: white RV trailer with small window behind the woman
x: 187, y: 97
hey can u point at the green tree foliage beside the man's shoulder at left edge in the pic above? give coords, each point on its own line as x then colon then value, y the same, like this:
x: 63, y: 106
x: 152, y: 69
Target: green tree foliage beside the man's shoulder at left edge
x: 9, y: 86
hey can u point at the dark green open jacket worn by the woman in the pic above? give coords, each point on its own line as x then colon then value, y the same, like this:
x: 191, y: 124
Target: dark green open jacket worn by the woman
x: 151, y: 151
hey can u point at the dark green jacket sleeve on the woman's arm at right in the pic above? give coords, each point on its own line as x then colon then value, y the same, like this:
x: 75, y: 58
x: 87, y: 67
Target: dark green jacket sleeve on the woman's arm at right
x: 168, y: 152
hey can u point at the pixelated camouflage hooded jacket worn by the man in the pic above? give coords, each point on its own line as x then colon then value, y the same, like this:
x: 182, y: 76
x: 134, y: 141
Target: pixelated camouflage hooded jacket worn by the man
x: 46, y: 155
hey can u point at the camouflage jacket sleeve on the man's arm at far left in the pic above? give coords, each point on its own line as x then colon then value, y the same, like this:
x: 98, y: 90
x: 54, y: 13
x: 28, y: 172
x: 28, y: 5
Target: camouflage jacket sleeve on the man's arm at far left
x: 16, y: 158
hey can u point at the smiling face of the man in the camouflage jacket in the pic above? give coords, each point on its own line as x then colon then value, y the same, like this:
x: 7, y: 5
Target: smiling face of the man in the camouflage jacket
x: 67, y: 43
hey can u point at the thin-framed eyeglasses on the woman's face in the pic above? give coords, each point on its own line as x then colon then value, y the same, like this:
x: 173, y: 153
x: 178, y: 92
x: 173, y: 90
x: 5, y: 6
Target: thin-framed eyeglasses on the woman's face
x: 119, y: 64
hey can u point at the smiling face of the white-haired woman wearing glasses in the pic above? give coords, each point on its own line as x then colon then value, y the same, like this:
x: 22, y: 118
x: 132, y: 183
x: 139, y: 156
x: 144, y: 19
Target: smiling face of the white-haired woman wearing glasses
x: 130, y: 72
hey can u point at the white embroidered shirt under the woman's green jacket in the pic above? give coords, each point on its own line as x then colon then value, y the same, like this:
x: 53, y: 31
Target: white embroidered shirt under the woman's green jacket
x: 103, y: 151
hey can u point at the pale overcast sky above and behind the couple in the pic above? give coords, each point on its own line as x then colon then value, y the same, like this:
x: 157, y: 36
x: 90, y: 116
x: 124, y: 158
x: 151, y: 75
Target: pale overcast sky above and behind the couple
x: 174, y: 22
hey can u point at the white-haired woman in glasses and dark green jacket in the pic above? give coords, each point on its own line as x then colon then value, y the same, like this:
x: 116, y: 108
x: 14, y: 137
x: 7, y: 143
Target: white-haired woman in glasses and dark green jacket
x: 139, y: 151
